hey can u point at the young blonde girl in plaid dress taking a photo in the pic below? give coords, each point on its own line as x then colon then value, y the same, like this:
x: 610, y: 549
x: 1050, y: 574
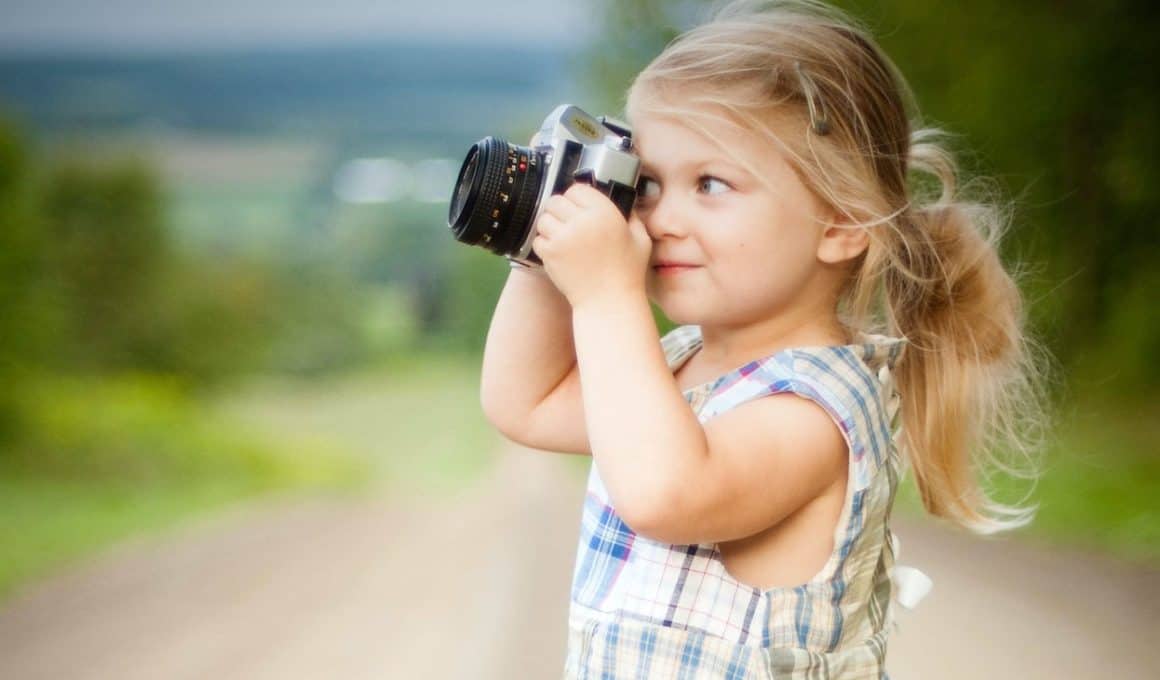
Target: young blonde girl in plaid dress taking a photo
x: 737, y: 523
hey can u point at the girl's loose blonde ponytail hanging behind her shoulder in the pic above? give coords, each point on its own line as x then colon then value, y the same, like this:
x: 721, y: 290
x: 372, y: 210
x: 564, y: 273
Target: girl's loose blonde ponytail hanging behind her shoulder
x: 968, y: 379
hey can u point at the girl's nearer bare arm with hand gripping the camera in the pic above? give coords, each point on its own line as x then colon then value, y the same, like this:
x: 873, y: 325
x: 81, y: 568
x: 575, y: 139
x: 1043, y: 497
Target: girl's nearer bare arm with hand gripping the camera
x: 669, y: 478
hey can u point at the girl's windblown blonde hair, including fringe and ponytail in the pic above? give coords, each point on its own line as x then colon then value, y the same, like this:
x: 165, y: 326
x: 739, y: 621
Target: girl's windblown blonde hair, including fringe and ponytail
x: 816, y: 84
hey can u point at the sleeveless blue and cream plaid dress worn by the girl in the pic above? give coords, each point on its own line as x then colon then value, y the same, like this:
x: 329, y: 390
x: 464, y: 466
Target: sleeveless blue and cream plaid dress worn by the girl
x: 648, y: 610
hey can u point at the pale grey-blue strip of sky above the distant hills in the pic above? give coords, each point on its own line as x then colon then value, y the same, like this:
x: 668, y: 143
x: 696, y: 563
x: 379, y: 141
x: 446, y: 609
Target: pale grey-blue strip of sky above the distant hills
x: 161, y: 25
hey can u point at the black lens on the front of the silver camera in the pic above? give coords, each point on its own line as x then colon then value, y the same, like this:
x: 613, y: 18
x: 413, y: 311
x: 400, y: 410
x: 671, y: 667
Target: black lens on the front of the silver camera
x: 495, y: 198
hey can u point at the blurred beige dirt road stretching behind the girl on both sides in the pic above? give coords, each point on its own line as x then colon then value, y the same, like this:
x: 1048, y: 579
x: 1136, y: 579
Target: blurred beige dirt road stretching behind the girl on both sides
x: 409, y: 589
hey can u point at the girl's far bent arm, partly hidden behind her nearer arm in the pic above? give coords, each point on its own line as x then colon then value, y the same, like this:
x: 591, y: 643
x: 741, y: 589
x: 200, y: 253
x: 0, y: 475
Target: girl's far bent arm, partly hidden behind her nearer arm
x: 531, y: 387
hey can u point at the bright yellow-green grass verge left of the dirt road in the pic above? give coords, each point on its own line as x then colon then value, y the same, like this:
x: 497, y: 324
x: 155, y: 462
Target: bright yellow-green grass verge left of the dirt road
x: 107, y: 459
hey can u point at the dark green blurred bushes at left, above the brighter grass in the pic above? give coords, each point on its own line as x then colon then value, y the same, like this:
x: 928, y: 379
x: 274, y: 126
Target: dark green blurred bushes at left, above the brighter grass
x: 93, y: 281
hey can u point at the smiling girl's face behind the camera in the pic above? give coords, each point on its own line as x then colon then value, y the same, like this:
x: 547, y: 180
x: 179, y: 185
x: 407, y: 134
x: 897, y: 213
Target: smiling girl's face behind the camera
x: 728, y: 249
